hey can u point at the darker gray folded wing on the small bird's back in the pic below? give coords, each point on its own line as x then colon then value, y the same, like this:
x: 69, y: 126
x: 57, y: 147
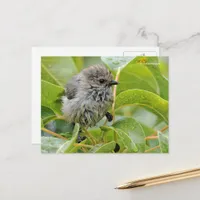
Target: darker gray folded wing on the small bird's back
x: 72, y: 87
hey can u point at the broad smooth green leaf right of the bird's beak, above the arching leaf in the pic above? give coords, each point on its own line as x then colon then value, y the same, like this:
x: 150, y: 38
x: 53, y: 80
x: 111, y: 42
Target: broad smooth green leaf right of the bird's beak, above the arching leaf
x: 136, y: 76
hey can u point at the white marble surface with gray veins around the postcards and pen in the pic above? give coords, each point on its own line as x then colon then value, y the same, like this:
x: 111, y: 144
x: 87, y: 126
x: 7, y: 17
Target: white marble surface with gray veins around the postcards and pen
x: 173, y: 25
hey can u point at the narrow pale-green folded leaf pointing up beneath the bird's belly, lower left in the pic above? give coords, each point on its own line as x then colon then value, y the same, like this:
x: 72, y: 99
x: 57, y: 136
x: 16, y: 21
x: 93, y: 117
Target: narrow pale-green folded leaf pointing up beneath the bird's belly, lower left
x: 68, y: 146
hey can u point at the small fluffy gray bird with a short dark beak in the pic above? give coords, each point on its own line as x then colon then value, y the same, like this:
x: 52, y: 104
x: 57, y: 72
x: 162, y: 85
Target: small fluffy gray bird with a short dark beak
x: 88, y: 96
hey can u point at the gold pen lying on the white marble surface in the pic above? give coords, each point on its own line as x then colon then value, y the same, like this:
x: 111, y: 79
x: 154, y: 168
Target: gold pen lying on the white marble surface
x: 166, y: 178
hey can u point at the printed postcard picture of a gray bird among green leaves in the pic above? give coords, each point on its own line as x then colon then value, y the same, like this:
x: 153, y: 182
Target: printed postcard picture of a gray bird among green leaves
x: 104, y: 104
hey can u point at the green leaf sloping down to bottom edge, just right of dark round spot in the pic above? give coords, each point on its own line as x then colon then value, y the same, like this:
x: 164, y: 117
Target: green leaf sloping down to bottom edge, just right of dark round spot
x: 127, y: 141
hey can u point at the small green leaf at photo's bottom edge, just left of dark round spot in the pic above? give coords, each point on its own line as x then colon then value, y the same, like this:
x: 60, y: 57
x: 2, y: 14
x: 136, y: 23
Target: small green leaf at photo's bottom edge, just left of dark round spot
x: 103, y: 148
